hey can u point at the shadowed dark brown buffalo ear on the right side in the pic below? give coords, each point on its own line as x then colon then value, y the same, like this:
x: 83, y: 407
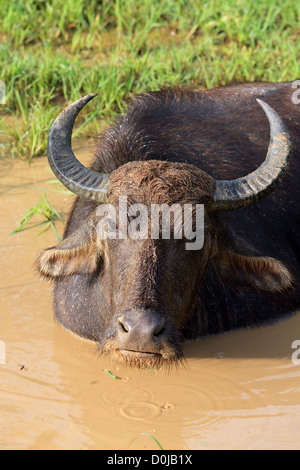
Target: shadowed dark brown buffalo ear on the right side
x: 259, y: 272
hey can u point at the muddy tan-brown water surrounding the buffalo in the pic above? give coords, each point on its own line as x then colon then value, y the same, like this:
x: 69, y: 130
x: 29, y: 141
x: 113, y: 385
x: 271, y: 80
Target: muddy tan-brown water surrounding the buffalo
x: 237, y: 391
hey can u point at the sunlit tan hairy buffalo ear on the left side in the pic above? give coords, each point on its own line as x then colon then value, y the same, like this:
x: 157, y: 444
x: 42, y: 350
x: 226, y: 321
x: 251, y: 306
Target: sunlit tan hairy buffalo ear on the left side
x: 78, y: 253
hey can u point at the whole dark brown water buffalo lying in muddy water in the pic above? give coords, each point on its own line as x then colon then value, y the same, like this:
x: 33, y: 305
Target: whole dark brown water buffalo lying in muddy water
x: 140, y: 299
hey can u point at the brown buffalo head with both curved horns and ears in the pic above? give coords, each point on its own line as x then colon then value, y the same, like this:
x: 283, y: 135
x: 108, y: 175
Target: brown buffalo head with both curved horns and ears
x: 134, y: 295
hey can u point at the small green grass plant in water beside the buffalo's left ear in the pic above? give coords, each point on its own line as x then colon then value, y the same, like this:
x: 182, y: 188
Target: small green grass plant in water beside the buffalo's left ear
x: 44, y: 209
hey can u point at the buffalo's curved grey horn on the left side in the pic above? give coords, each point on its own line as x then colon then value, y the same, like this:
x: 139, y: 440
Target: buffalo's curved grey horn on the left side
x: 73, y: 175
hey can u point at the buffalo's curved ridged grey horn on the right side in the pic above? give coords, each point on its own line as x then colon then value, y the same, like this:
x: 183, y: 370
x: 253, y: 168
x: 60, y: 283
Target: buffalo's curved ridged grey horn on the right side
x: 245, y: 191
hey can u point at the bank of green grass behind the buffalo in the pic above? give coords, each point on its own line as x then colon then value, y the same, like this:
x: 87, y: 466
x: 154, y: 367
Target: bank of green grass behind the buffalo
x: 53, y: 52
